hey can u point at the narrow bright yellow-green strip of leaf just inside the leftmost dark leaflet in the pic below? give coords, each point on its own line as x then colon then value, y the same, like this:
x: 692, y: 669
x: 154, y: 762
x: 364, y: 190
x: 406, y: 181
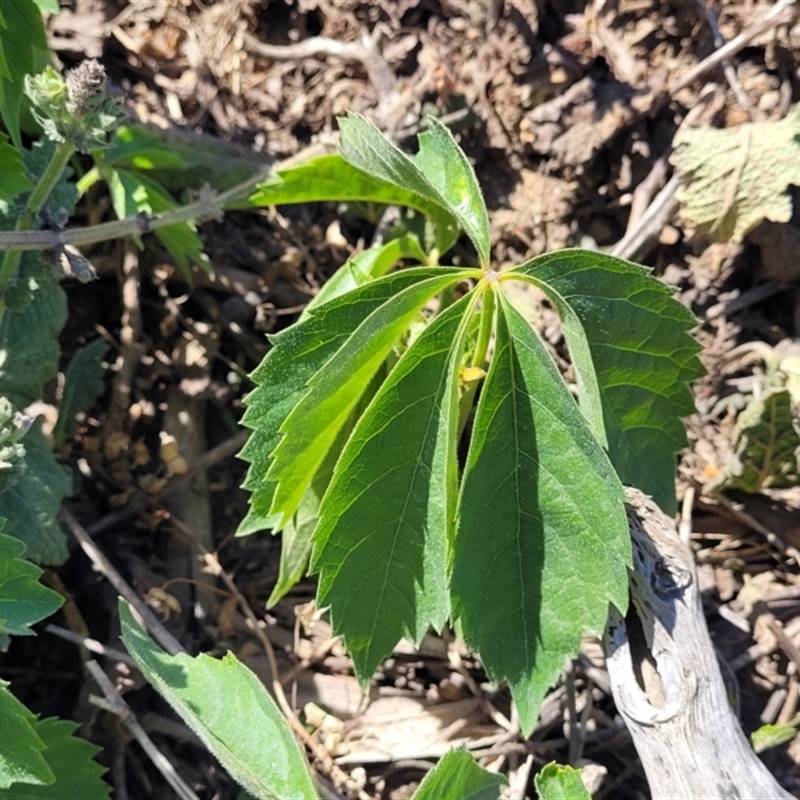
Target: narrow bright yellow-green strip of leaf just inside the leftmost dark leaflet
x: 311, y: 427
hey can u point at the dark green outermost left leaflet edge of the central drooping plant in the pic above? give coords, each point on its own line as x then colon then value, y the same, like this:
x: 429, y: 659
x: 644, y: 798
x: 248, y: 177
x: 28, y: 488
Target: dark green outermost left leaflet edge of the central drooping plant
x: 299, y: 353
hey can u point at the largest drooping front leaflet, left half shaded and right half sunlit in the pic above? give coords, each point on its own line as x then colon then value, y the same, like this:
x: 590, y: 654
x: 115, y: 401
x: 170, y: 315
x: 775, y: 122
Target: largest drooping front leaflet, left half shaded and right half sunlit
x: 542, y: 541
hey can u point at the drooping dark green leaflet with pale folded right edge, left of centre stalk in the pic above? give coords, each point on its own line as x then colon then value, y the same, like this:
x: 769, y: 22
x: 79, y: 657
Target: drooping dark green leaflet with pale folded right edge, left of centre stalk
x: 385, y: 522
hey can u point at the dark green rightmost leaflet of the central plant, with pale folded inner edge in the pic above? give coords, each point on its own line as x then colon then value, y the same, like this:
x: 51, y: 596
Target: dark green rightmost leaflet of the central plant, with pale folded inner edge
x: 629, y: 340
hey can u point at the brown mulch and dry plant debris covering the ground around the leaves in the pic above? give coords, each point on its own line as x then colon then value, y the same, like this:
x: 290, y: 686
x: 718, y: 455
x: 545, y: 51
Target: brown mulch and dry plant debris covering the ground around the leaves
x: 568, y: 110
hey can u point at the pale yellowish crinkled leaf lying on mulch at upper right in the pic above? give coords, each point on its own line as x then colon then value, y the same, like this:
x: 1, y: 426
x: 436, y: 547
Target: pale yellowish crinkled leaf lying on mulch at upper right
x: 736, y: 177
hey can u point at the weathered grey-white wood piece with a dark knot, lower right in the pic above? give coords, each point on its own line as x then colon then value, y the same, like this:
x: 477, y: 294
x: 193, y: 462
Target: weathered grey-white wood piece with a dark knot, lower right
x: 665, y: 677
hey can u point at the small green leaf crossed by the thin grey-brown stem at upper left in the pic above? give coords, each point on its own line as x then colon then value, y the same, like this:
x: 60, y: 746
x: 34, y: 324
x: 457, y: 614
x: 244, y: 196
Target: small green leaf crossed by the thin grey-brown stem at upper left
x: 133, y: 194
